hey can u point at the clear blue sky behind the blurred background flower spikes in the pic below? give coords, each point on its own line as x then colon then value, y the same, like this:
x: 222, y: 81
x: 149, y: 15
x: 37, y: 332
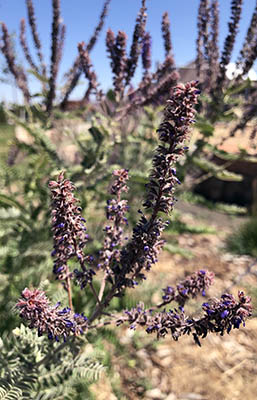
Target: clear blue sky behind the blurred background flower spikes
x: 81, y: 16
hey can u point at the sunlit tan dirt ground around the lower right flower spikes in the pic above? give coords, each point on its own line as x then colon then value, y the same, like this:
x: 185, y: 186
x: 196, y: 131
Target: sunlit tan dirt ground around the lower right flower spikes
x: 224, y: 368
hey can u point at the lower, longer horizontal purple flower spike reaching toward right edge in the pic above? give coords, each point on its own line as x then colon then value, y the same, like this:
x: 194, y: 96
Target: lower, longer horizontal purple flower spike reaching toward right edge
x: 221, y: 315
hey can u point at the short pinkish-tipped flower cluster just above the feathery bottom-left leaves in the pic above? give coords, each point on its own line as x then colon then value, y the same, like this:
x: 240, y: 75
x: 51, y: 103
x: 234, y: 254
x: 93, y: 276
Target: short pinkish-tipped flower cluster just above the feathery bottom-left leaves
x: 57, y: 323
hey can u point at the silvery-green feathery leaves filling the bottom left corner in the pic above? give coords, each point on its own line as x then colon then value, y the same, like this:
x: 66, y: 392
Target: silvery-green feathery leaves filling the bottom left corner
x: 34, y: 368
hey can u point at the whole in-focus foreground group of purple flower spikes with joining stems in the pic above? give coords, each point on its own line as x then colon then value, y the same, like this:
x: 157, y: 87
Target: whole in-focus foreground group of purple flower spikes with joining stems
x: 123, y: 263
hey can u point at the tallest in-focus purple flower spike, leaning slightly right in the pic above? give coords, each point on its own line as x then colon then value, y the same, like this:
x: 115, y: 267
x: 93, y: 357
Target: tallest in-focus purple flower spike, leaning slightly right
x: 142, y: 251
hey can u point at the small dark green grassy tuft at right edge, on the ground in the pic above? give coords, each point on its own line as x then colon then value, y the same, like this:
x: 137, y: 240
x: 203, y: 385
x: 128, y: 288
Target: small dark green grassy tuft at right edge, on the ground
x: 244, y: 241
